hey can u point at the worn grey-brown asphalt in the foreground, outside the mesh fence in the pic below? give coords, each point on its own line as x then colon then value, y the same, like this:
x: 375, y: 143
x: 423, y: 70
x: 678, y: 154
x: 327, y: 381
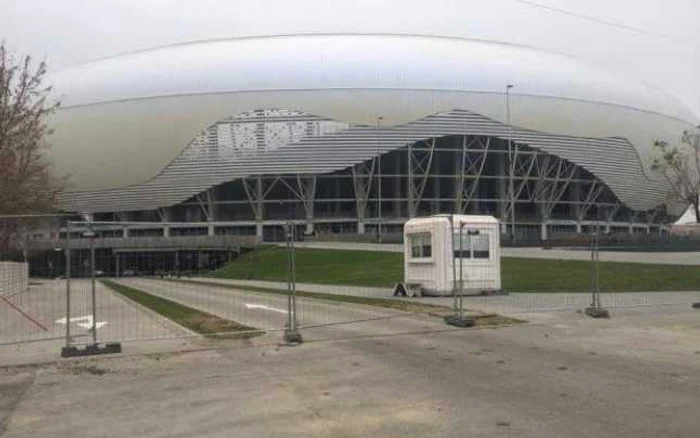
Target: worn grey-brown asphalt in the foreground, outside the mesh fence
x: 563, y: 375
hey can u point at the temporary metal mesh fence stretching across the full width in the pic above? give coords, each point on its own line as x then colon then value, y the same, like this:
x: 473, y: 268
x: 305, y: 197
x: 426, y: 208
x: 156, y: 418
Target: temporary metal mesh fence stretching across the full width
x: 76, y: 282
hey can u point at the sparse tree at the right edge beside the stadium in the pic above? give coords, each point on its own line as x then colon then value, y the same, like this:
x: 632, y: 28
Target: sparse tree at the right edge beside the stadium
x: 680, y: 166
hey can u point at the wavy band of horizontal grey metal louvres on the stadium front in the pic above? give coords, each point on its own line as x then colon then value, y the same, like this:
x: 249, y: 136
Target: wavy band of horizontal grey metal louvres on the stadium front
x: 206, y: 163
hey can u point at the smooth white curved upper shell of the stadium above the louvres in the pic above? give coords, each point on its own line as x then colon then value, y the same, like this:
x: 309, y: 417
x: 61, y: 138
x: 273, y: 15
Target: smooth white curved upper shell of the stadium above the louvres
x: 125, y: 118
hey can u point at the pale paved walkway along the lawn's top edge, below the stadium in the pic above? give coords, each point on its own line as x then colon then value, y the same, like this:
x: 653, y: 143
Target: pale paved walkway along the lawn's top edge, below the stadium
x: 666, y: 258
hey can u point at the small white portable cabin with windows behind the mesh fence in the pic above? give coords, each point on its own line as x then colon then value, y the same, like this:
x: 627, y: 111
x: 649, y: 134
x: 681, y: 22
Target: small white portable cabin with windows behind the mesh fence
x: 432, y: 252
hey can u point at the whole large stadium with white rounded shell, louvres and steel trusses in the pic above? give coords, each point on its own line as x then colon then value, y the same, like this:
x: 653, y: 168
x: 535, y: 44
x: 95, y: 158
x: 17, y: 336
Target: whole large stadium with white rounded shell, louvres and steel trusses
x: 343, y: 133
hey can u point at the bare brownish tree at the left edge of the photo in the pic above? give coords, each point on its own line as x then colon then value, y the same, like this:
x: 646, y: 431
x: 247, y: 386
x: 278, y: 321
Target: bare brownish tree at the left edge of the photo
x: 27, y: 184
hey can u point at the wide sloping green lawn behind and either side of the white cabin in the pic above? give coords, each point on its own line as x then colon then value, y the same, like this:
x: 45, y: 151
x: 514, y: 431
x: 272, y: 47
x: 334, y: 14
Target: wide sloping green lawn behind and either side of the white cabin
x: 384, y: 269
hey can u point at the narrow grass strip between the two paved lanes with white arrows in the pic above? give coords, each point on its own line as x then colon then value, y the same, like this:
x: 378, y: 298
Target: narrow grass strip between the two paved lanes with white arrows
x: 200, y: 322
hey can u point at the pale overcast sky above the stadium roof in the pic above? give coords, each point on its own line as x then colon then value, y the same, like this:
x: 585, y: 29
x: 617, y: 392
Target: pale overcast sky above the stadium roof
x: 655, y: 41
